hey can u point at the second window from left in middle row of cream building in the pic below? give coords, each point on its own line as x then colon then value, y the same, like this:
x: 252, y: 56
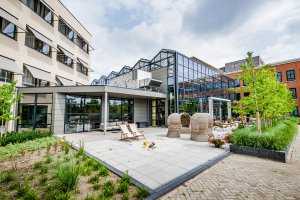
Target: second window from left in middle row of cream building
x: 36, y: 44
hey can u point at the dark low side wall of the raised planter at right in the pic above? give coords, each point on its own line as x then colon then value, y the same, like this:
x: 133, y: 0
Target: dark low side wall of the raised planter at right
x: 261, y: 153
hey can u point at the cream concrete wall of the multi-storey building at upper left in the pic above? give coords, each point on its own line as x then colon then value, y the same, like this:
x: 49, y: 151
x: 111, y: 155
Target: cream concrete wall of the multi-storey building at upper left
x: 21, y: 54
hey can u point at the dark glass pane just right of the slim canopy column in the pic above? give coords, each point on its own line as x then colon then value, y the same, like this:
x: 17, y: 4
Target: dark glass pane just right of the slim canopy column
x: 120, y: 110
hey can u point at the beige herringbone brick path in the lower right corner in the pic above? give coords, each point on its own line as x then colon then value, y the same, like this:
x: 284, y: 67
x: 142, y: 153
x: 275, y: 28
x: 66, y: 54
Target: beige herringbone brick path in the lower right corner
x: 245, y: 177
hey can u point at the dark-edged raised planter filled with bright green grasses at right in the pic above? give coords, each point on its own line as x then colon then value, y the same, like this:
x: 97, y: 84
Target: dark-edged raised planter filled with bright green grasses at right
x: 273, y: 143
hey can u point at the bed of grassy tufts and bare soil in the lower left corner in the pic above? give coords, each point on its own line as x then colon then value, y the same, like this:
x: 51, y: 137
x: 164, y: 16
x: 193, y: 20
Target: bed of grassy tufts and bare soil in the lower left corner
x: 49, y: 169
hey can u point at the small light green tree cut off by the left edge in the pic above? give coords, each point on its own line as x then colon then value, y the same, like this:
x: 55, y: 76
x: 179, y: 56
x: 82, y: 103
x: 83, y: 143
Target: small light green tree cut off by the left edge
x: 8, y: 97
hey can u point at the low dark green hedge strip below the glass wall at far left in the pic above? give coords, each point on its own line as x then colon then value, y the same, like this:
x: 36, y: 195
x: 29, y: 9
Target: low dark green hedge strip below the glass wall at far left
x: 19, y: 137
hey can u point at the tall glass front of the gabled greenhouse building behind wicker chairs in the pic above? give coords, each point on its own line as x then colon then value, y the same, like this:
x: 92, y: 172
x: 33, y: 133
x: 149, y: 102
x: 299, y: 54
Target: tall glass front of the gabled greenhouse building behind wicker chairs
x: 196, y: 81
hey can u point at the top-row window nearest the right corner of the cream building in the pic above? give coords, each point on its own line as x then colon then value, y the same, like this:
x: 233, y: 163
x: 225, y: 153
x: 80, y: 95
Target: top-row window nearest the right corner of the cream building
x: 72, y: 35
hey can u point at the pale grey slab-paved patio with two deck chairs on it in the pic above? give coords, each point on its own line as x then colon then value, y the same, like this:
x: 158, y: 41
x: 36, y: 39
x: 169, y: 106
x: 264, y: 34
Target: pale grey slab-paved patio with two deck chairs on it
x: 172, y: 158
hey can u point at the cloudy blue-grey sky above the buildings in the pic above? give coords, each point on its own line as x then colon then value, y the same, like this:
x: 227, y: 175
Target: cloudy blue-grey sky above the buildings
x: 215, y: 31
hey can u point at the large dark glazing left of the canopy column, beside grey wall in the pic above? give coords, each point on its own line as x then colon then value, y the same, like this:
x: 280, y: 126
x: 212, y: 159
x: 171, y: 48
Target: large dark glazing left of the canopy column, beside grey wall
x: 83, y: 113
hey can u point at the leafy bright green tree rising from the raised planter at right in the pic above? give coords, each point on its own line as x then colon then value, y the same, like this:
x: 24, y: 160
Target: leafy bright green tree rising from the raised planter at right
x: 268, y: 99
